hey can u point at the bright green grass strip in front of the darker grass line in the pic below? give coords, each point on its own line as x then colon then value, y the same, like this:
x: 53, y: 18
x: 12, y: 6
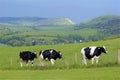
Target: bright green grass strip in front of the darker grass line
x: 104, y: 73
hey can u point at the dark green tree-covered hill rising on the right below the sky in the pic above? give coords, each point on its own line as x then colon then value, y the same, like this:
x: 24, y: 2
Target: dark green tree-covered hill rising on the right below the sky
x: 107, y: 24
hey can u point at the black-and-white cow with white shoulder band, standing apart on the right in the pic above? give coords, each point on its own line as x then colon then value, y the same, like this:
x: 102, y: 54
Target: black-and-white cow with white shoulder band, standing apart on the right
x: 92, y: 52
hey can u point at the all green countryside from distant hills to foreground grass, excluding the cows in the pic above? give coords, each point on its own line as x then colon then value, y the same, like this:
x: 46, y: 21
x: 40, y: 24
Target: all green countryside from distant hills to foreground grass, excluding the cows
x: 18, y: 36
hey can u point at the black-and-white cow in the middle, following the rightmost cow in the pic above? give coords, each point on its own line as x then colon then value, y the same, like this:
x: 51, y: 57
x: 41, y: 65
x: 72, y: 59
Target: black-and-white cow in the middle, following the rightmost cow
x: 50, y: 55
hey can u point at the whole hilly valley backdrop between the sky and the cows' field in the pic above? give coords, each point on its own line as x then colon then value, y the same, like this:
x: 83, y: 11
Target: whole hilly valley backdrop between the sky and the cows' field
x: 27, y: 31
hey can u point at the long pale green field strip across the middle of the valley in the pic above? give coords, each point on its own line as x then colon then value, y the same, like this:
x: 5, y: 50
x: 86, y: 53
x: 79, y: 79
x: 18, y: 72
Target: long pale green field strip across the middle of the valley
x: 84, y: 32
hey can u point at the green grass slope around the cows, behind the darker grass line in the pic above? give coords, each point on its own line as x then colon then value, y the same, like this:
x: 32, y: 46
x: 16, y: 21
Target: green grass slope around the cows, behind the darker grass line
x: 10, y: 55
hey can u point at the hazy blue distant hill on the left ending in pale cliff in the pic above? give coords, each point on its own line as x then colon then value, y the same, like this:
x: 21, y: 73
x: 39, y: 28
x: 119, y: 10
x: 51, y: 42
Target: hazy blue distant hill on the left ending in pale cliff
x: 34, y: 21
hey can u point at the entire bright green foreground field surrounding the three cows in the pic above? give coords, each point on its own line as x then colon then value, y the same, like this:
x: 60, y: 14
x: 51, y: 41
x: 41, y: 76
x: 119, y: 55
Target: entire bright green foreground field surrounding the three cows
x: 68, y: 68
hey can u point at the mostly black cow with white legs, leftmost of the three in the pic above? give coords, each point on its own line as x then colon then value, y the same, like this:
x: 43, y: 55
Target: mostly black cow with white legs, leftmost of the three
x: 27, y: 56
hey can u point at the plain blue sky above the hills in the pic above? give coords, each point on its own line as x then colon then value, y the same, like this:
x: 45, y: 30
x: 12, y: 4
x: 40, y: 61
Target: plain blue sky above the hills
x: 76, y: 10
